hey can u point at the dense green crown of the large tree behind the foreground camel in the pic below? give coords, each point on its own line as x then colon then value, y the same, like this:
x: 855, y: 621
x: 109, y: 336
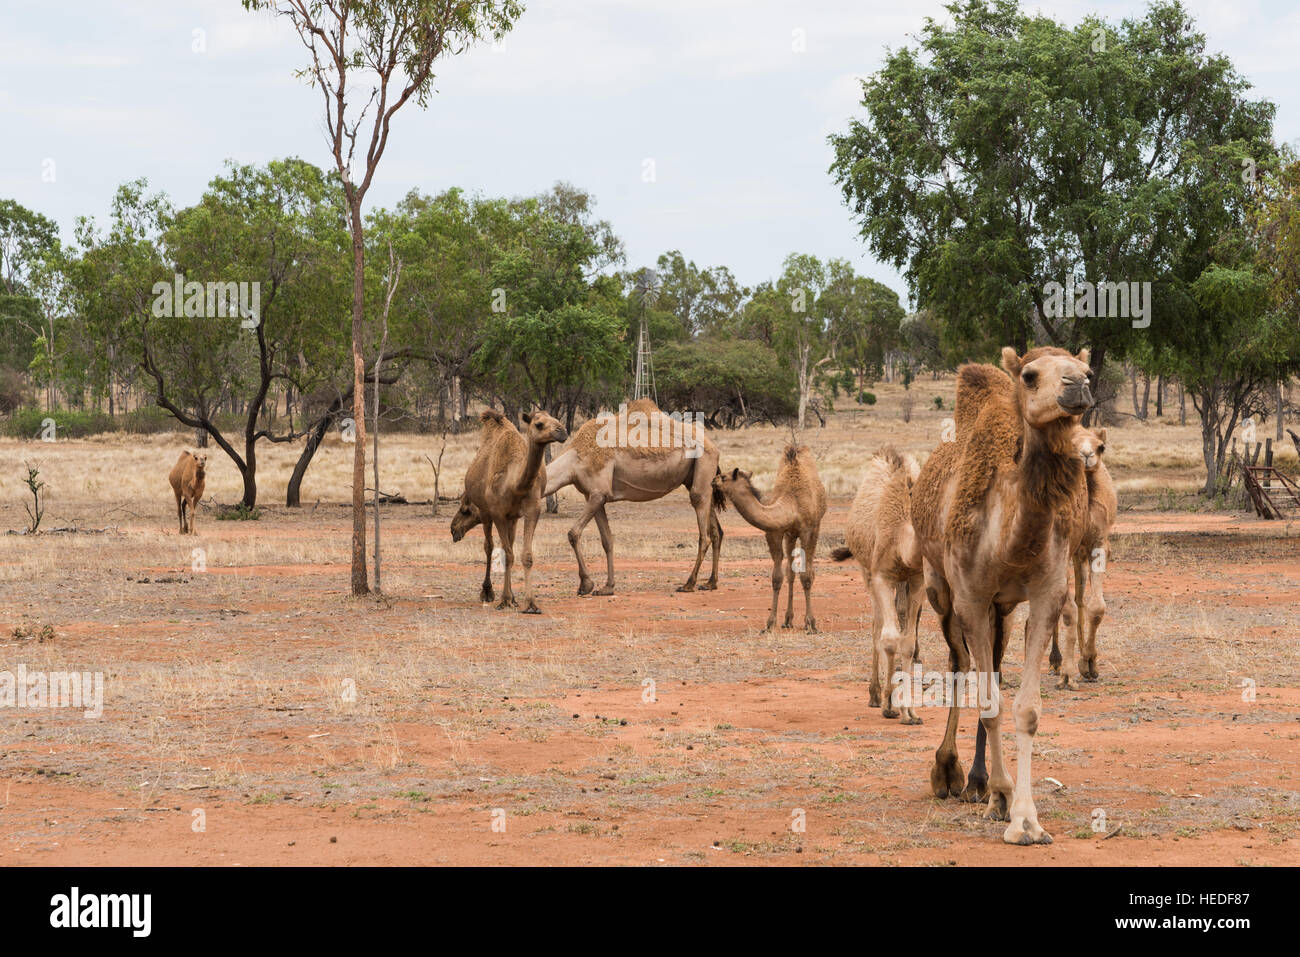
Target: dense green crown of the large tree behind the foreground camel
x: 1008, y: 151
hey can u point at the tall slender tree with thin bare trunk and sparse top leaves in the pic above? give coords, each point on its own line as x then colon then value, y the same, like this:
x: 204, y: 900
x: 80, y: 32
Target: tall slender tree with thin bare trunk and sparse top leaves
x: 369, y: 59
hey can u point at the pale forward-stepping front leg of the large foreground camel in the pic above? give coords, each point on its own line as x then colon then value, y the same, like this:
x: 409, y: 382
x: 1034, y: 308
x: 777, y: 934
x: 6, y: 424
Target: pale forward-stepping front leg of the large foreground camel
x: 1046, y: 604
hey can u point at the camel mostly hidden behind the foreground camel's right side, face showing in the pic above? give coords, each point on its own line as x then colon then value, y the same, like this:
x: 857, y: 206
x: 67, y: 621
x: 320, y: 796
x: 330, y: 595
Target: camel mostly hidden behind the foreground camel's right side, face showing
x: 1090, y: 560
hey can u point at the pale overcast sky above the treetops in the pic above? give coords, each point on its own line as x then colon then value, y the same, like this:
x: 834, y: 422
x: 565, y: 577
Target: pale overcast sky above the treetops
x: 712, y: 92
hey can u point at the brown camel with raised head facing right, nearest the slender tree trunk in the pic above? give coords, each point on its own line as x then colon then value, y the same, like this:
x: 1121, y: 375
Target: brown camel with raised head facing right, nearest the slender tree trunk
x: 505, y: 483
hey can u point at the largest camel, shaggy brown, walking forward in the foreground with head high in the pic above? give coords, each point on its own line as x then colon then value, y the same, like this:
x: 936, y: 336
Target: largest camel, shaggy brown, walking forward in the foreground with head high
x: 999, y: 514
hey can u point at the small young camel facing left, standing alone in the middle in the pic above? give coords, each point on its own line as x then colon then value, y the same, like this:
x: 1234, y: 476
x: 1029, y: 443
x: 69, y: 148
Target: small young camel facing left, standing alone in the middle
x: 791, y: 514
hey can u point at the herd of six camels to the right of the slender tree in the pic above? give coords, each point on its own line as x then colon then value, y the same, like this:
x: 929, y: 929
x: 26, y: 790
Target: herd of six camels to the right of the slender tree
x: 999, y: 516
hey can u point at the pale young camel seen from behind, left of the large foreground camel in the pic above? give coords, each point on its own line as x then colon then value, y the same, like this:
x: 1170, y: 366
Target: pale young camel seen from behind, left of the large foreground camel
x: 882, y: 539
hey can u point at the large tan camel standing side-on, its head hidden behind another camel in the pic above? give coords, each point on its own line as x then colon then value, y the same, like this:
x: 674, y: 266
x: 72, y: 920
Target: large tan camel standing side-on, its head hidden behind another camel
x: 639, y: 456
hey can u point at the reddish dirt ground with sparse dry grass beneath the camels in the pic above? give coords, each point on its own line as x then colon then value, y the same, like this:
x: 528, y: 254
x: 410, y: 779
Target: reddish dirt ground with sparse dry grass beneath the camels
x: 224, y: 694
